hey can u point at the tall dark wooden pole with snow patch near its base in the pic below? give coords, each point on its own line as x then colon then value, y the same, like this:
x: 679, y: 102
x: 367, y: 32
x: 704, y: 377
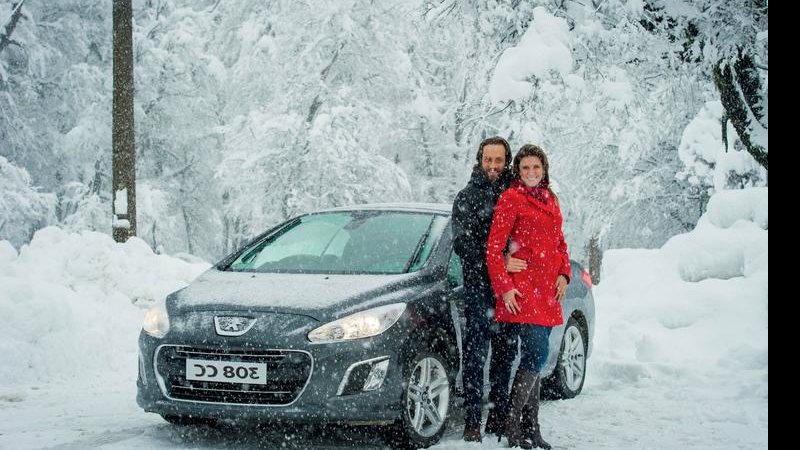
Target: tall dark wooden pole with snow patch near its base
x: 122, y: 137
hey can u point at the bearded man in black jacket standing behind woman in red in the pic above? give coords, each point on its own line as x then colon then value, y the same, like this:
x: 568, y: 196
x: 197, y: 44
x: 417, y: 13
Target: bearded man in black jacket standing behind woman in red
x: 473, y: 209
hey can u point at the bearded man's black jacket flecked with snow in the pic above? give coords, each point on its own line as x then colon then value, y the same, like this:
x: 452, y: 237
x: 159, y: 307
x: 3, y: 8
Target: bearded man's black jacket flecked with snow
x: 473, y: 209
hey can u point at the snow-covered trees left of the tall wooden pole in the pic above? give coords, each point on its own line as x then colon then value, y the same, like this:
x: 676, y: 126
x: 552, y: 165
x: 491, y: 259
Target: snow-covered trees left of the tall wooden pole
x: 55, y: 94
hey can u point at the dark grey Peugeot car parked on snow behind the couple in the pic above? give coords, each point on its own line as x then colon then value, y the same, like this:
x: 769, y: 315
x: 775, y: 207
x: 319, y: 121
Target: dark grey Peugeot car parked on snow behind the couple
x: 351, y: 315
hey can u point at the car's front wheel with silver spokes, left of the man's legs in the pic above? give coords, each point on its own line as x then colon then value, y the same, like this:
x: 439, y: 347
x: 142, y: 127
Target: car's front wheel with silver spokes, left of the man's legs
x: 428, y: 388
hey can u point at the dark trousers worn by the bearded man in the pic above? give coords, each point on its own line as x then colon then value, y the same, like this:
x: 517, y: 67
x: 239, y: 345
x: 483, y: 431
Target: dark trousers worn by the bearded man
x: 480, y: 332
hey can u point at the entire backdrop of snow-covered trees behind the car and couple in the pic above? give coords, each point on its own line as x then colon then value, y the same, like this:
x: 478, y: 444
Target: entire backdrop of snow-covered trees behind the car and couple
x: 248, y: 112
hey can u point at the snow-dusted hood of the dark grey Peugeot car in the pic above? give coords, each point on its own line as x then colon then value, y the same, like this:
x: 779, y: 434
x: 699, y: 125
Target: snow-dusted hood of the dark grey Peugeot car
x: 320, y: 296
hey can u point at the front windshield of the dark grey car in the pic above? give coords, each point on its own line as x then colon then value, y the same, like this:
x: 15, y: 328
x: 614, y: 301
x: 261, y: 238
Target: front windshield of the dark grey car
x: 346, y: 242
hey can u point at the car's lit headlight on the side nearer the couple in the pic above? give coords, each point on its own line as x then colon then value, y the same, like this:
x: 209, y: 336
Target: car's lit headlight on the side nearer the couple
x: 359, y: 325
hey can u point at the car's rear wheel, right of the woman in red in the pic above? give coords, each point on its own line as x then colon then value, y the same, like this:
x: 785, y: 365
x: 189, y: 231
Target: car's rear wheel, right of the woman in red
x: 567, y: 378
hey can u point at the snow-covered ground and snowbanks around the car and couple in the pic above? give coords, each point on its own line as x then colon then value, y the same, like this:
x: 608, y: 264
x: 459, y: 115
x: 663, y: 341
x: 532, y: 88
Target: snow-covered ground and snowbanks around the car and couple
x: 680, y: 354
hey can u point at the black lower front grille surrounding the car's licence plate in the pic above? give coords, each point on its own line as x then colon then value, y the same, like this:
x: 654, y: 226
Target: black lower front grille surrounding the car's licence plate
x: 287, y: 371
